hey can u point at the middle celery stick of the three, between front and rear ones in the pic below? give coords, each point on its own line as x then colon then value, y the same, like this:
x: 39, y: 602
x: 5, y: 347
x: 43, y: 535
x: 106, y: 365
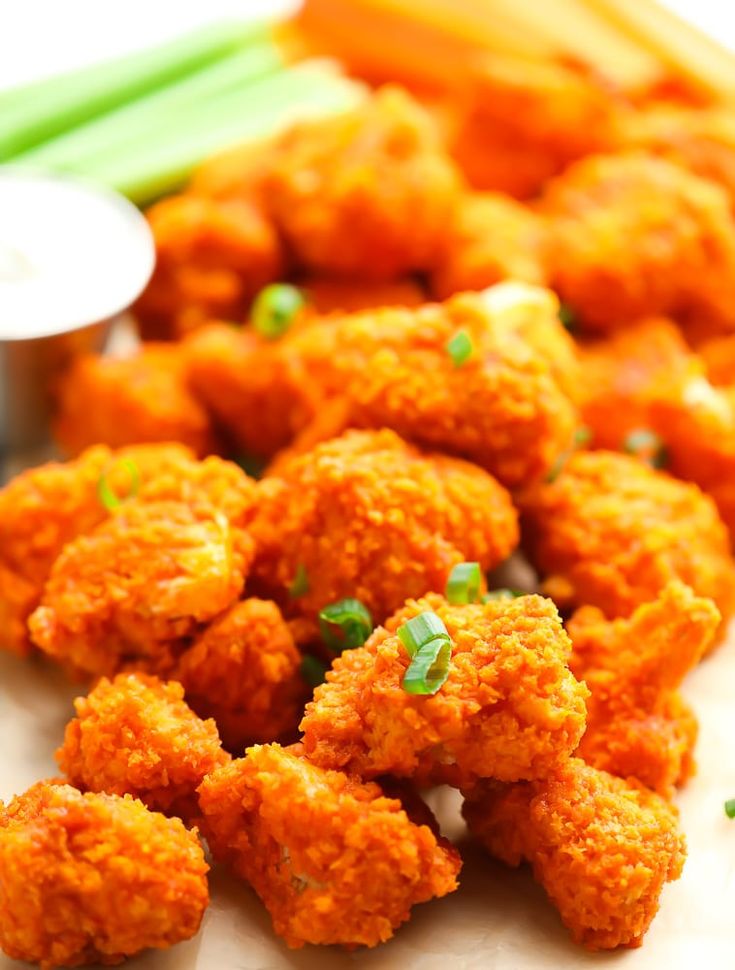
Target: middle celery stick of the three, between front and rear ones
x: 132, y: 124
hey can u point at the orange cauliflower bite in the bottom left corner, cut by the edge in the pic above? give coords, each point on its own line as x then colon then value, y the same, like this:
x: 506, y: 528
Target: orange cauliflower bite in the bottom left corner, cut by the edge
x: 88, y: 879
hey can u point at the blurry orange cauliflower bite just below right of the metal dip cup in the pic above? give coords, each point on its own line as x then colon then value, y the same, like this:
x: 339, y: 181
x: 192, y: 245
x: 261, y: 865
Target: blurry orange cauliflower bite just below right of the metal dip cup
x: 128, y: 400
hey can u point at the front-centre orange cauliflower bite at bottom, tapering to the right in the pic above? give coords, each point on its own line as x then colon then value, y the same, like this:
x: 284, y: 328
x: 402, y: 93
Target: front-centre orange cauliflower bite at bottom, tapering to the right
x: 333, y: 860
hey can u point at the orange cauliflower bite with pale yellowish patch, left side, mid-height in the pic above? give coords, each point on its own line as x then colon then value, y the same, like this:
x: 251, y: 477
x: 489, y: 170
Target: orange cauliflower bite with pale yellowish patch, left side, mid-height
x: 130, y: 591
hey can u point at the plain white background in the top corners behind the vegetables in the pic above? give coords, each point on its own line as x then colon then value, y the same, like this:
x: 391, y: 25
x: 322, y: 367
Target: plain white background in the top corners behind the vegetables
x: 40, y: 37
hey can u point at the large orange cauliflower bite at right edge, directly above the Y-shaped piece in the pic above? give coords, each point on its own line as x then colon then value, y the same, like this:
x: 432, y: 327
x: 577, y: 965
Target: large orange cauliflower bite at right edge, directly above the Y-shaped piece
x: 611, y: 532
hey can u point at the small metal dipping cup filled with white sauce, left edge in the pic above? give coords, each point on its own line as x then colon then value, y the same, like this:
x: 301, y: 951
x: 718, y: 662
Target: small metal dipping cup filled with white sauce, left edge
x: 73, y: 257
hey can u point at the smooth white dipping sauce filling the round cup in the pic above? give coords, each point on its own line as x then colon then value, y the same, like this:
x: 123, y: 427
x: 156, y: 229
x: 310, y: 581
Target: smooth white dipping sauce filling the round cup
x: 71, y: 254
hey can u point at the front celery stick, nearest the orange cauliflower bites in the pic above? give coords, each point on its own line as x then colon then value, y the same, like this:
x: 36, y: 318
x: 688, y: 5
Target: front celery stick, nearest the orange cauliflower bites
x: 264, y: 109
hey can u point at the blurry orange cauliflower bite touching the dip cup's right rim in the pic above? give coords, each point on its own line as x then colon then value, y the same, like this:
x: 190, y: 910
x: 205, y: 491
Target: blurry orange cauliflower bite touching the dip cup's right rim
x: 212, y: 257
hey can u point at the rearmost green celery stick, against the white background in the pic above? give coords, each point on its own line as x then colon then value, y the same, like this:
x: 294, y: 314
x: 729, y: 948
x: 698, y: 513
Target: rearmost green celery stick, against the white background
x: 40, y: 110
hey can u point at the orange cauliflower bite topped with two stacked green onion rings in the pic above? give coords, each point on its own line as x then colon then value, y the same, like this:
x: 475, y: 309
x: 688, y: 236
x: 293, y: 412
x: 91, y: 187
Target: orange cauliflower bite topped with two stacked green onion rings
x: 509, y: 709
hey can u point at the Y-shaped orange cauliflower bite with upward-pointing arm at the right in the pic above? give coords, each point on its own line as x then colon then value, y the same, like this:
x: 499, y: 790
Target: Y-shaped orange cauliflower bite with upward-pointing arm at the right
x: 638, y: 725
